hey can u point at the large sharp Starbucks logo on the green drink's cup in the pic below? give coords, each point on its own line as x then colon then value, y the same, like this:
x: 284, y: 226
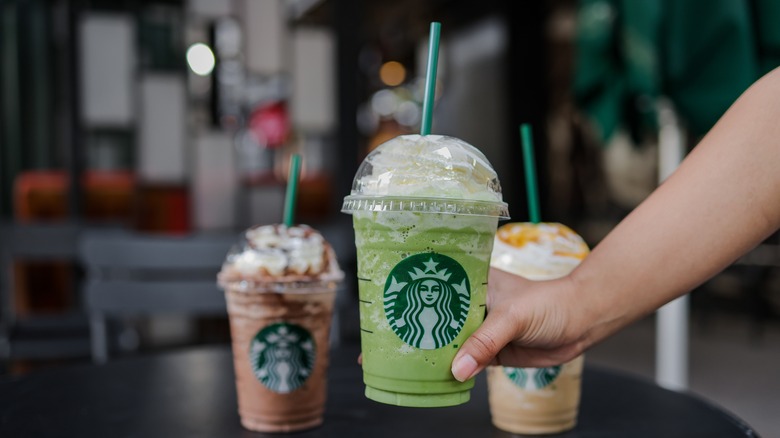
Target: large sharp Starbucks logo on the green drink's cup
x: 427, y: 300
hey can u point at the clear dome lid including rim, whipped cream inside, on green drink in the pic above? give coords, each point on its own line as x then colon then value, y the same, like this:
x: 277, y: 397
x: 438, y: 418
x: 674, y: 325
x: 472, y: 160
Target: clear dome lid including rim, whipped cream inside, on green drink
x: 427, y: 174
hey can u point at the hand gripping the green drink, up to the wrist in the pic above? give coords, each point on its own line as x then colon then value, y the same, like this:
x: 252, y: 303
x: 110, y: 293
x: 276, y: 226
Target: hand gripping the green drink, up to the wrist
x: 528, y: 324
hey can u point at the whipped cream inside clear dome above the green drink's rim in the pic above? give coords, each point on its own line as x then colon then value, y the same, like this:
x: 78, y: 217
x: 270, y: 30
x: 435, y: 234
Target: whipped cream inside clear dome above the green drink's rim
x: 434, y: 166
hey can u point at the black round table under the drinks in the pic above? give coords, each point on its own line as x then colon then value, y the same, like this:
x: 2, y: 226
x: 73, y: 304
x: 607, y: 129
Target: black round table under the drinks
x: 191, y: 393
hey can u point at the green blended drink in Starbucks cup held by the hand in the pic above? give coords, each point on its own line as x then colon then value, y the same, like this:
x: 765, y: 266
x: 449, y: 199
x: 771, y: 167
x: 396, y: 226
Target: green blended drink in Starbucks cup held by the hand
x: 425, y: 212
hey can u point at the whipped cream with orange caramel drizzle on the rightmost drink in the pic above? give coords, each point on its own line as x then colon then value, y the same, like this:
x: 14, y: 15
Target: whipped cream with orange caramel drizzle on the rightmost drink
x: 537, y: 251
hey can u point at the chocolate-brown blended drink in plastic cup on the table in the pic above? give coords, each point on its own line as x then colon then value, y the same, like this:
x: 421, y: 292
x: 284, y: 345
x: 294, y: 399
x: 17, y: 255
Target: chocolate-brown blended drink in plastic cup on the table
x: 280, y: 289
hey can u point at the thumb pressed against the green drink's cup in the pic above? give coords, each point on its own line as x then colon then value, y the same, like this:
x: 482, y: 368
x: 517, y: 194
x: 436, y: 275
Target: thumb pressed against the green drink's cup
x: 481, y: 348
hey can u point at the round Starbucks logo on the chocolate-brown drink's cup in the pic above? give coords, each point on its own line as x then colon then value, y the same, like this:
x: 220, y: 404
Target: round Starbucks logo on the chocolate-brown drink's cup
x: 282, y: 356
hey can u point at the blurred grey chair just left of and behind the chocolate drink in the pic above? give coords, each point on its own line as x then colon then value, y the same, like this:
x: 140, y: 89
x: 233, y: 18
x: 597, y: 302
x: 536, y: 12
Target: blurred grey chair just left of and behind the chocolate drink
x: 131, y: 274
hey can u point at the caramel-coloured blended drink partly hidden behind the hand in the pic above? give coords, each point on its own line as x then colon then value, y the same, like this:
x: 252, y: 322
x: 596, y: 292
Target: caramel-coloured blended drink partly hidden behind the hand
x: 536, y: 400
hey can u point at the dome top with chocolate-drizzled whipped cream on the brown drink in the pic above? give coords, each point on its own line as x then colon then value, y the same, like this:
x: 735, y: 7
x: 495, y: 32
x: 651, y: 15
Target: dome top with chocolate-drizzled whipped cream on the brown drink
x: 278, y: 258
